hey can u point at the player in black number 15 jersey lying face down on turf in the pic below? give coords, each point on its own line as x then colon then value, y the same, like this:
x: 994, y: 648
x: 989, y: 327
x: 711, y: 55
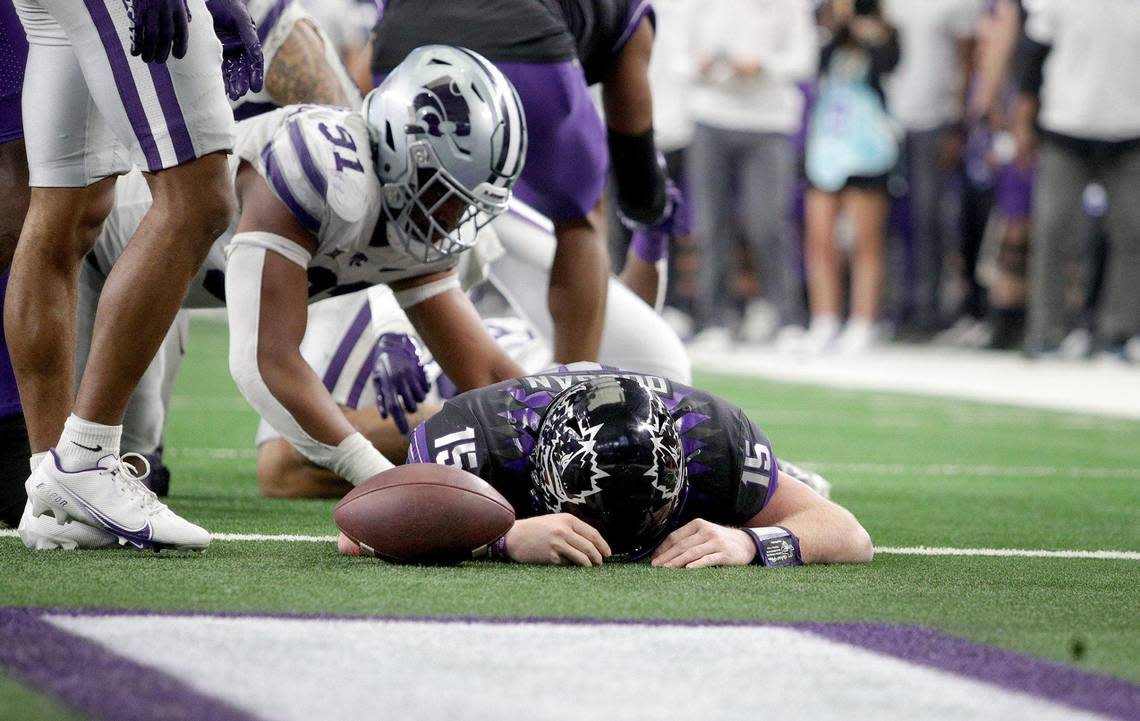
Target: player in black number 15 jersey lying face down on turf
x: 605, y: 465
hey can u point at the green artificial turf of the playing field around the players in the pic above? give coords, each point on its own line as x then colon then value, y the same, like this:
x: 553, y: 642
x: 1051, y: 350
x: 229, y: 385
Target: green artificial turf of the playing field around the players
x: 915, y: 471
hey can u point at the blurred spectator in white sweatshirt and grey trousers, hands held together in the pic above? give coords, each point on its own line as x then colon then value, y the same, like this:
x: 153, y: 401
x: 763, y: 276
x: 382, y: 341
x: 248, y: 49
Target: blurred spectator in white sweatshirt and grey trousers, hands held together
x: 748, y: 56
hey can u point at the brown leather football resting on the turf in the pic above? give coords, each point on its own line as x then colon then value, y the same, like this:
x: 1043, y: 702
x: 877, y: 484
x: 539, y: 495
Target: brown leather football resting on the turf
x: 424, y: 514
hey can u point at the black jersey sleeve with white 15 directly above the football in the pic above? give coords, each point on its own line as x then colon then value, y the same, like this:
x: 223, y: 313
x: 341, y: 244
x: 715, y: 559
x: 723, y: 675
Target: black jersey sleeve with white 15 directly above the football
x: 452, y: 438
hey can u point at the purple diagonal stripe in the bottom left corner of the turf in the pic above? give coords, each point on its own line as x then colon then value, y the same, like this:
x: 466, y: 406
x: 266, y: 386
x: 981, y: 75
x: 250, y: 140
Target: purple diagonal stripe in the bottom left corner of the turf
x: 95, y: 681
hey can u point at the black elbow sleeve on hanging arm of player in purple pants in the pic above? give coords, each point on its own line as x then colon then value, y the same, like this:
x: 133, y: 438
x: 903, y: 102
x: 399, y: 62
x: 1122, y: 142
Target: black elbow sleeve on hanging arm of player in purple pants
x: 639, y: 175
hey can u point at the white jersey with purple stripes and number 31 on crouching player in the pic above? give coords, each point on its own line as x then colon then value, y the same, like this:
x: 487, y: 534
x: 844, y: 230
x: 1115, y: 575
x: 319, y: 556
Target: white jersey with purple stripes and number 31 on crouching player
x: 319, y: 163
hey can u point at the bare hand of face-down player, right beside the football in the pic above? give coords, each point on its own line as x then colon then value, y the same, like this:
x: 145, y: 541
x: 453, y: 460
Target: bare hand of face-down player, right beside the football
x: 557, y: 540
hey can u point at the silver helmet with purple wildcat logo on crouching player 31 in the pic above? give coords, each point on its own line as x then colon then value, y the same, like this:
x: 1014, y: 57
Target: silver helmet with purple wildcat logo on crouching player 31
x: 451, y: 141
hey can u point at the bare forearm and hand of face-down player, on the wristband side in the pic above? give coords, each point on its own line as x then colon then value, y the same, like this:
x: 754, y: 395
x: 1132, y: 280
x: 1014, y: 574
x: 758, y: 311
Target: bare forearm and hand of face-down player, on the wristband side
x: 826, y: 533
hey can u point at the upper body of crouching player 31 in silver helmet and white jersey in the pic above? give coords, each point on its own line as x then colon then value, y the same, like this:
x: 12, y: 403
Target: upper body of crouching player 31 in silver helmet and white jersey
x: 333, y: 201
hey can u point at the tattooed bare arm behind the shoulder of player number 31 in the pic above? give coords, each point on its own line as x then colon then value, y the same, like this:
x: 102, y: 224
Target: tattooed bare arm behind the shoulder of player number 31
x: 300, y: 72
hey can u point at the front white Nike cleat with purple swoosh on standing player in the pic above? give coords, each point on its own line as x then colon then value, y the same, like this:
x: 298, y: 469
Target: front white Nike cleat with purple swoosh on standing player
x: 112, y: 497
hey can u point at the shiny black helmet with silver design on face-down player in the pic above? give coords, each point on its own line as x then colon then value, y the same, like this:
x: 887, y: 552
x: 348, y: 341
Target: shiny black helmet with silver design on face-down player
x: 609, y: 453
